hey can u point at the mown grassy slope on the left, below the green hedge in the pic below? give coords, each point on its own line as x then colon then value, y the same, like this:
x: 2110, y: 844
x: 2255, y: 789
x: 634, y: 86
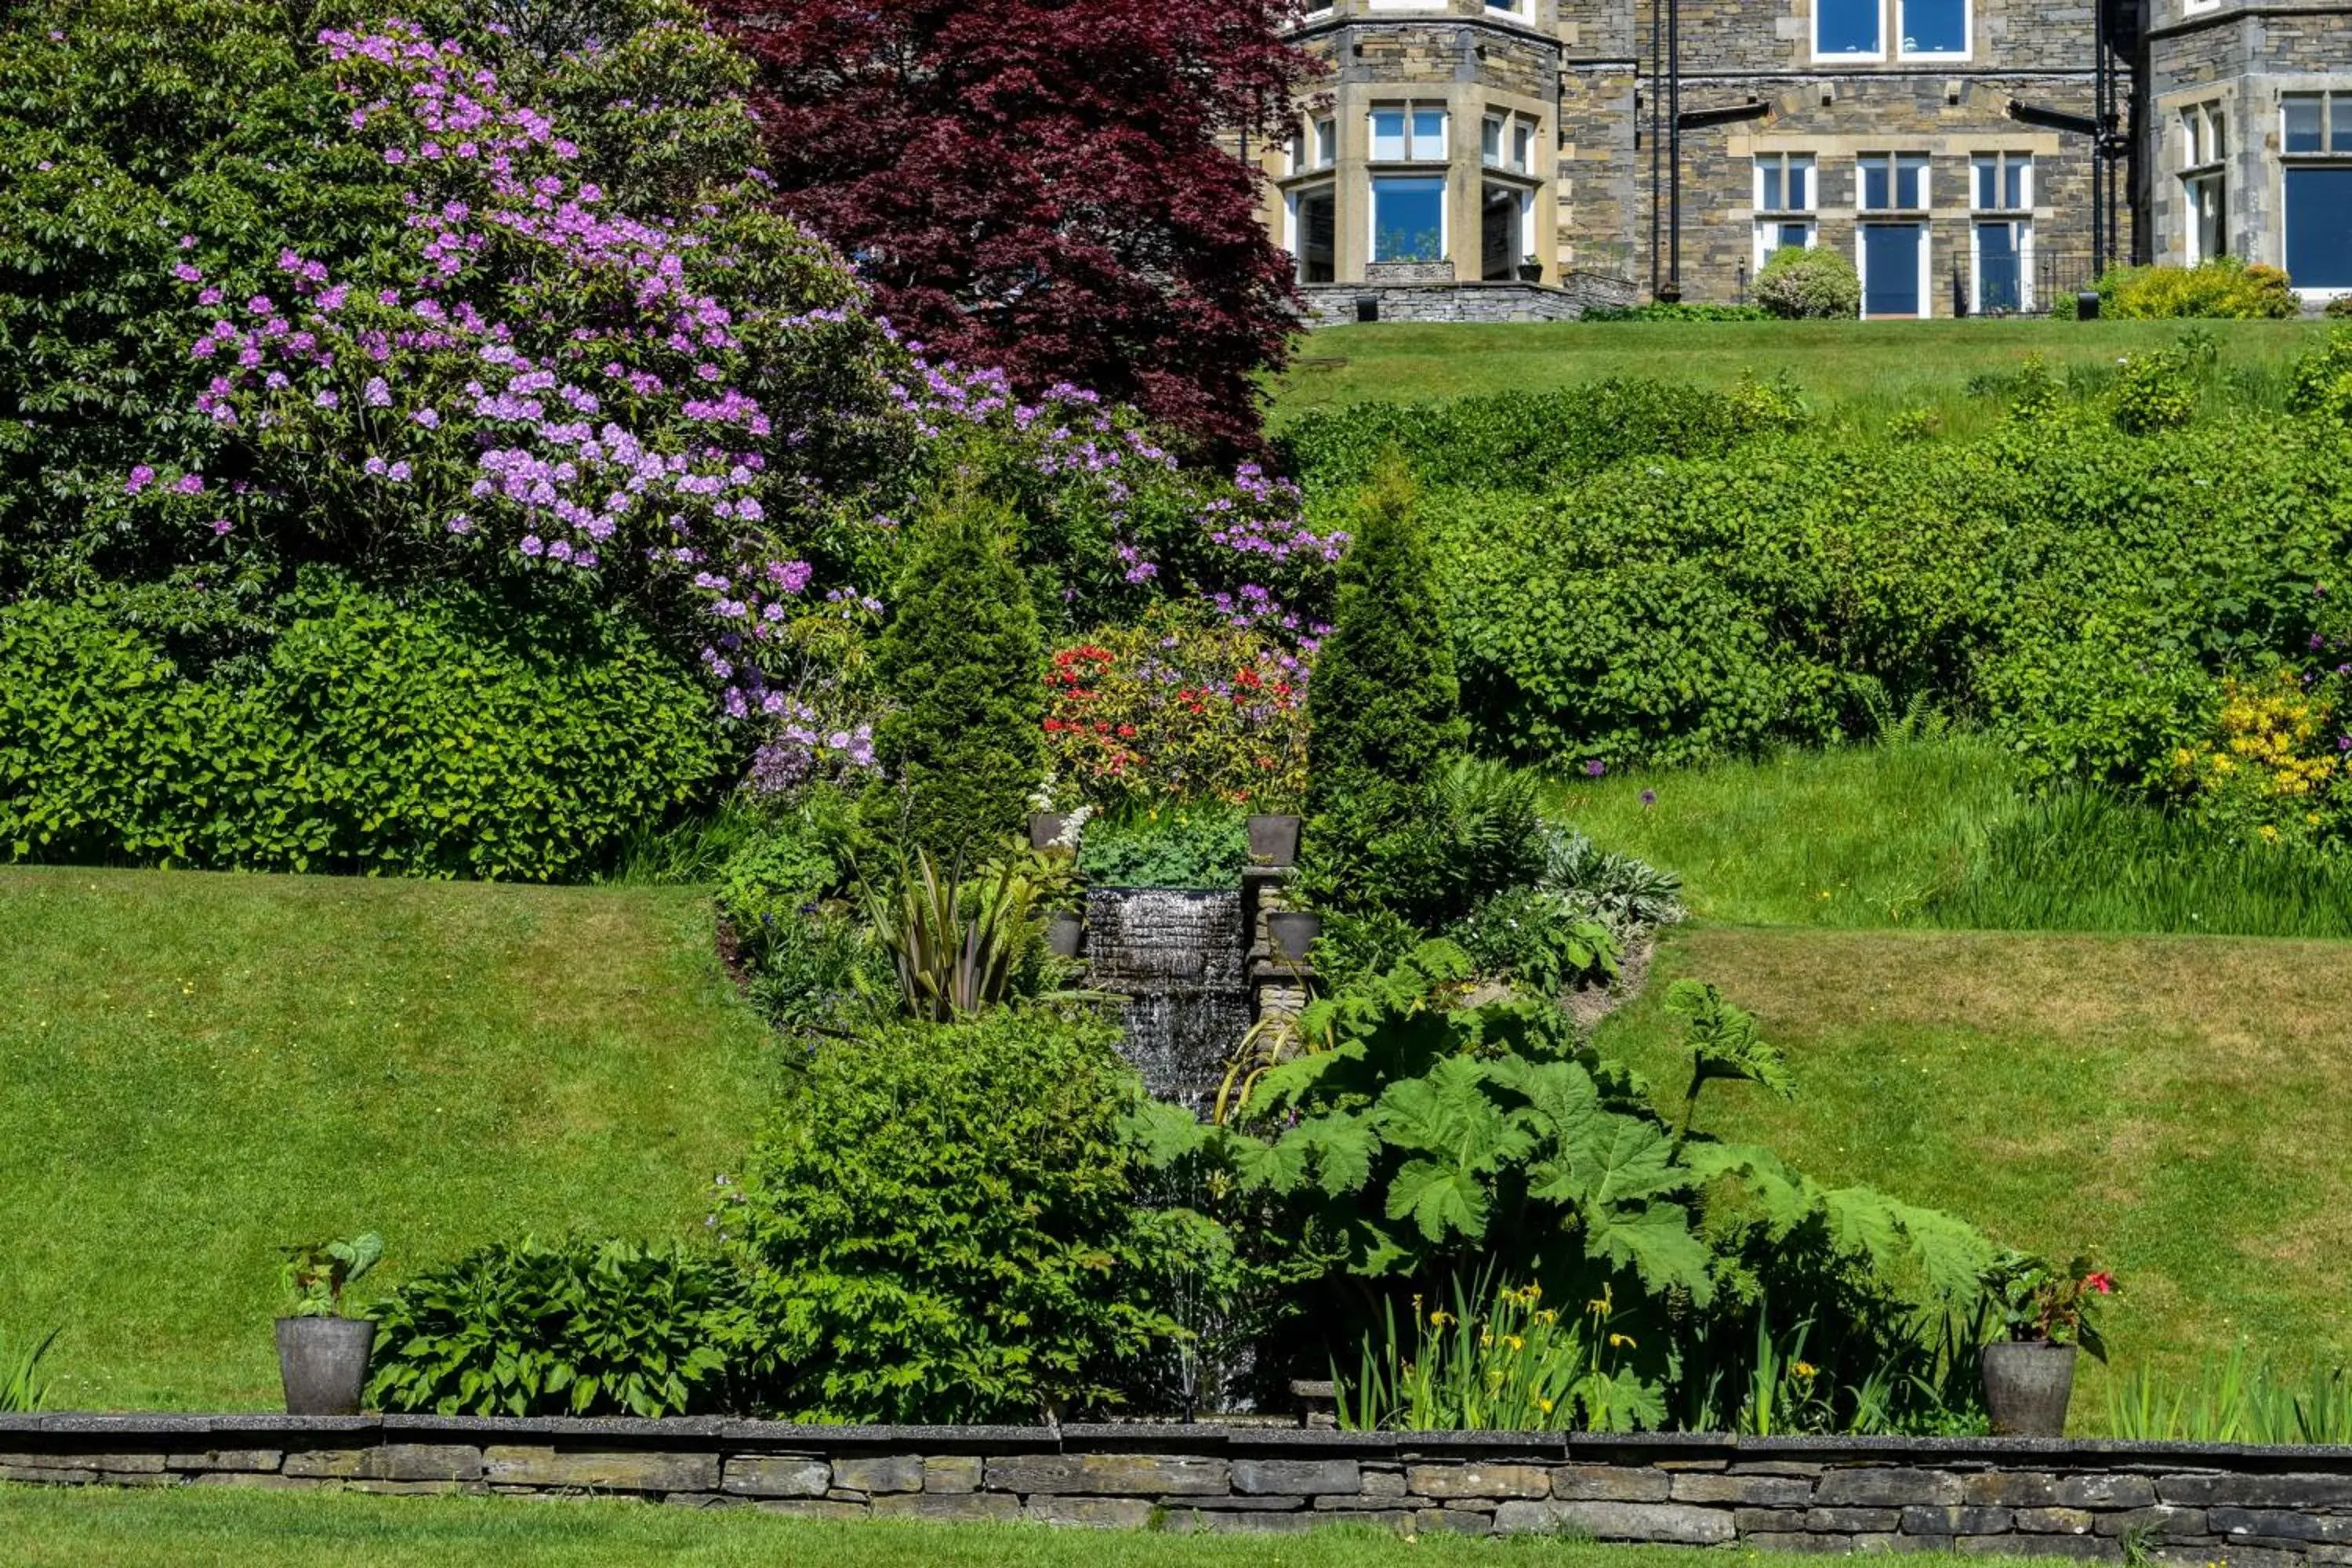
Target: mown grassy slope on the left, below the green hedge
x: 196, y: 1071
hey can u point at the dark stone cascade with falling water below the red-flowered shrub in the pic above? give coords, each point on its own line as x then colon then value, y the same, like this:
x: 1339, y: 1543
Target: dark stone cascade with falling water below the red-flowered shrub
x: 1182, y: 960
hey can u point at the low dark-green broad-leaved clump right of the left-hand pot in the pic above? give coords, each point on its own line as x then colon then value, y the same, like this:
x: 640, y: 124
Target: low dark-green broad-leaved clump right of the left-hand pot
x: 570, y: 1329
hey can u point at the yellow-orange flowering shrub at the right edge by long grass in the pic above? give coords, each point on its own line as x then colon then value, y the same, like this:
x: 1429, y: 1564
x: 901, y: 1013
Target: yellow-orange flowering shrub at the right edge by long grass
x: 2278, y: 765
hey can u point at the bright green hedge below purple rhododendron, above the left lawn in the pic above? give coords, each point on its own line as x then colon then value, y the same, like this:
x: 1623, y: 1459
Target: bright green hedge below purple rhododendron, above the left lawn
x: 446, y: 739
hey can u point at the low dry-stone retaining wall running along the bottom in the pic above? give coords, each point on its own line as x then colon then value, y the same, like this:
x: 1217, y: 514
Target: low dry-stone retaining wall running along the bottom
x: 2172, y: 1501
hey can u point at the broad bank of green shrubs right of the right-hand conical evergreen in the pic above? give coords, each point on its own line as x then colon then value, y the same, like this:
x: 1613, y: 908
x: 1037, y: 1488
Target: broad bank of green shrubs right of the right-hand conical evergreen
x: 2069, y: 584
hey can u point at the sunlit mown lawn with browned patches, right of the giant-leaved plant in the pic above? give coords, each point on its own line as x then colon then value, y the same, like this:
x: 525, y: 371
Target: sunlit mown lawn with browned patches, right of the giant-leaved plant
x: 2174, y: 1106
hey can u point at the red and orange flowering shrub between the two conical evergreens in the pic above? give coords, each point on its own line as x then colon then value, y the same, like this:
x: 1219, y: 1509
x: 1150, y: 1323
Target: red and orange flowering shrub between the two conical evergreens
x: 1180, y: 709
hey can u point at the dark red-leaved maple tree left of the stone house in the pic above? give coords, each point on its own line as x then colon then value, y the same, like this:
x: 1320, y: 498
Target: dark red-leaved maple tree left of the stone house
x: 1050, y: 187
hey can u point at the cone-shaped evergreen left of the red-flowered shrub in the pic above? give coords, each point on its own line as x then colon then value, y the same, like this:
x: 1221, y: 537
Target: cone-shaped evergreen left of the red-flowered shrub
x: 963, y: 662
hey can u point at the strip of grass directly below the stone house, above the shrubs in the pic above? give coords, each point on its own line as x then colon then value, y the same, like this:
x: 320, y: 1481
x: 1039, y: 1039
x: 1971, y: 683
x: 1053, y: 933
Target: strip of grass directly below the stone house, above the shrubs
x: 1864, y: 373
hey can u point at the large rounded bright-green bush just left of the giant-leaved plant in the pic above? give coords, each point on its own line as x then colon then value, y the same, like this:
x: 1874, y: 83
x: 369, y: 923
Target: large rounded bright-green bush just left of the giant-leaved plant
x: 947, y: 1228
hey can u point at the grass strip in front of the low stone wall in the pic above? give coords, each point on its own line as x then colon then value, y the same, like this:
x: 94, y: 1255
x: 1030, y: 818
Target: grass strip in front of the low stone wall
x: 189, y: 1529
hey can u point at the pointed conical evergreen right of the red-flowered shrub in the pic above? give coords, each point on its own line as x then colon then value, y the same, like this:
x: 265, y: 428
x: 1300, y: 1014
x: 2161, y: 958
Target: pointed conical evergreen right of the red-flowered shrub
x: 1384, y: 718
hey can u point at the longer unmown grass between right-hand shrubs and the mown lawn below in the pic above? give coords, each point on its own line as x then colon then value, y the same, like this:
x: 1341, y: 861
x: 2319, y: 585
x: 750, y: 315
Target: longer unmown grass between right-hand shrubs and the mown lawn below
x: 1939, y: 833
